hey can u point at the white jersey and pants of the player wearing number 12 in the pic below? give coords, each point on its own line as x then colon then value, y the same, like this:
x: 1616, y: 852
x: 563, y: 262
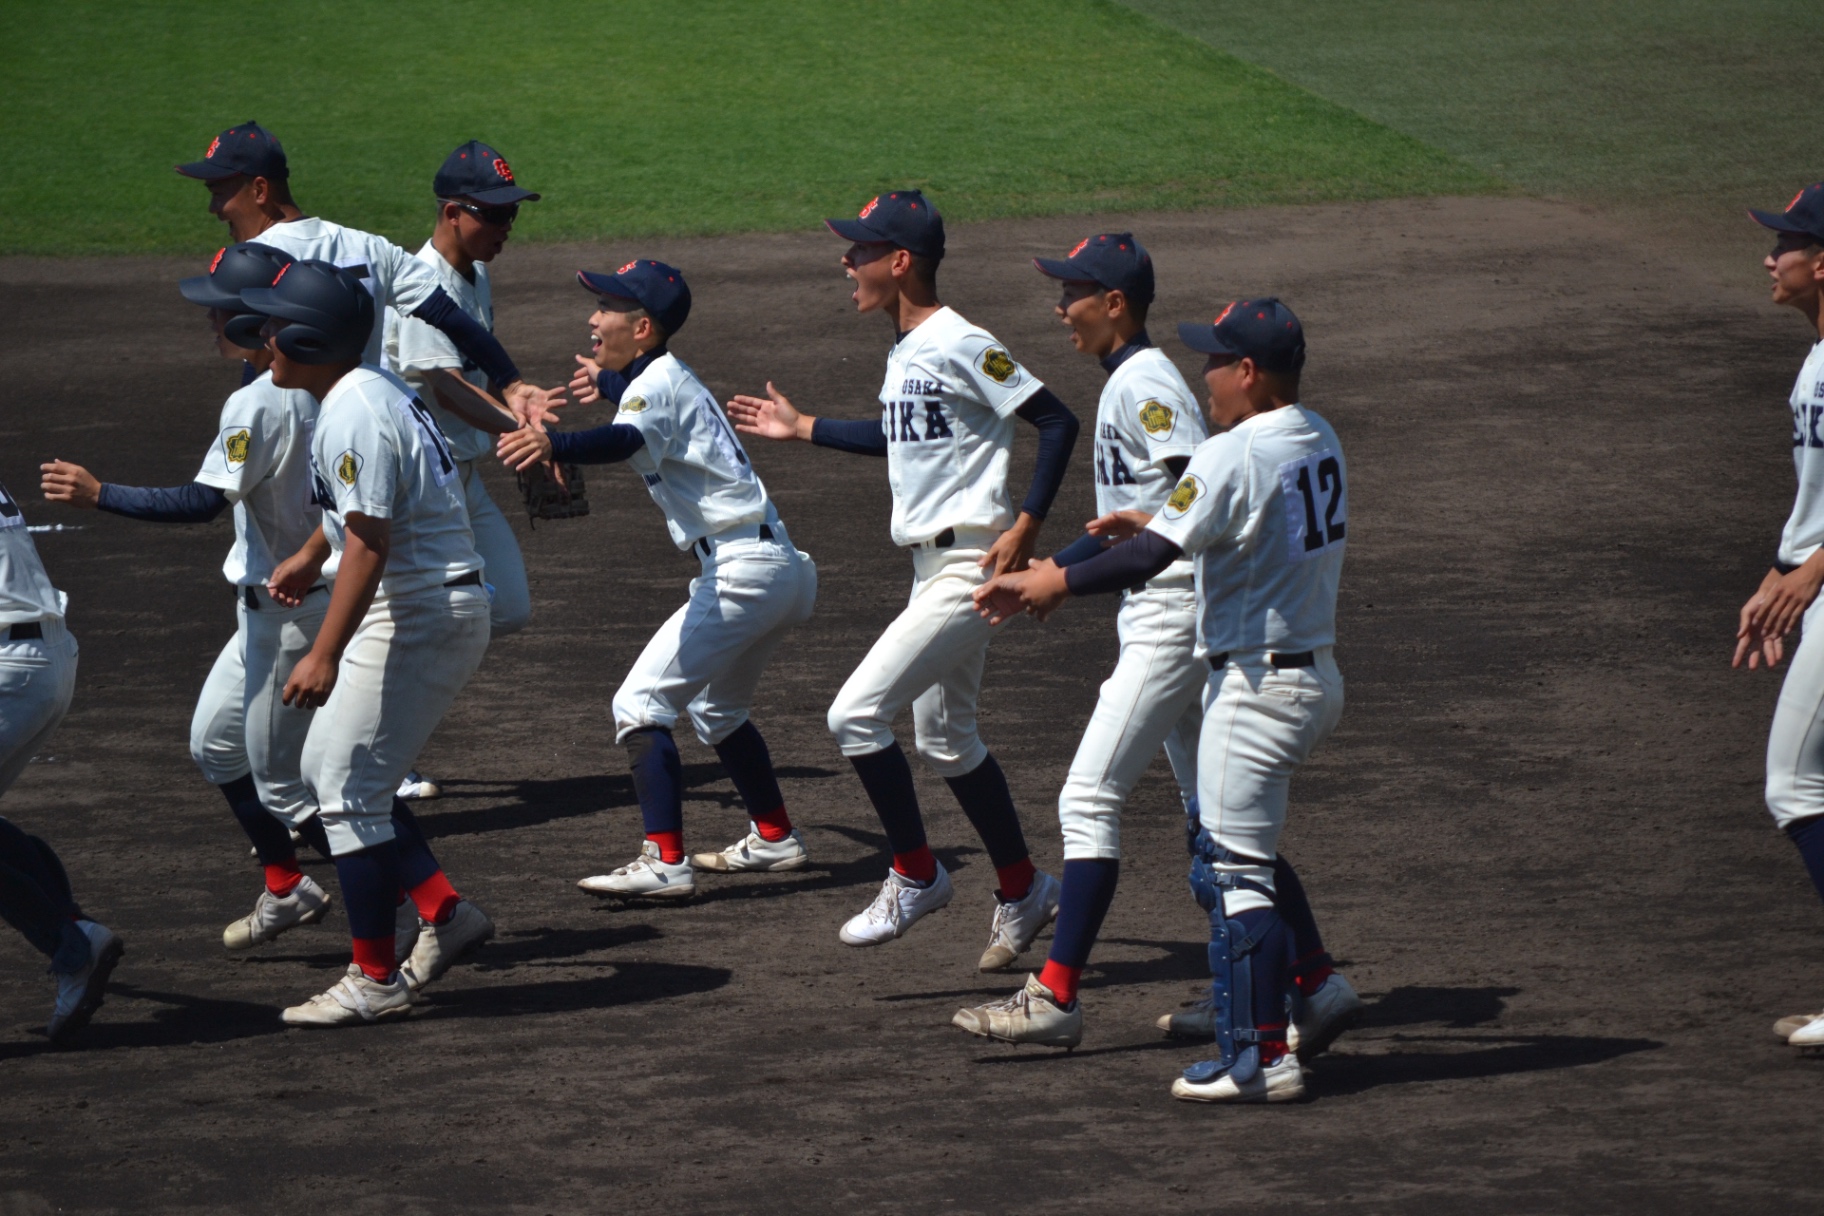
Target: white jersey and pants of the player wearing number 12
x: 1265, y: 510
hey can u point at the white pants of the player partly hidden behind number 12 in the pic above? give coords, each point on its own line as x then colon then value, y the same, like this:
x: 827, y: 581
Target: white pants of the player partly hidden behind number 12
x: 1154, y: 699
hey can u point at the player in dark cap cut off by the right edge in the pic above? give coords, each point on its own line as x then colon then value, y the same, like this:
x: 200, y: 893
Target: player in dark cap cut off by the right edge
x: 1788, y: 597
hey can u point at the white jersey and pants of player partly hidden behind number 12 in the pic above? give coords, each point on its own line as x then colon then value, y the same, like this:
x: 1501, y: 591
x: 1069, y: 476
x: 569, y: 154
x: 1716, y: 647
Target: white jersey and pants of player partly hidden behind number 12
x: 1154, y: 697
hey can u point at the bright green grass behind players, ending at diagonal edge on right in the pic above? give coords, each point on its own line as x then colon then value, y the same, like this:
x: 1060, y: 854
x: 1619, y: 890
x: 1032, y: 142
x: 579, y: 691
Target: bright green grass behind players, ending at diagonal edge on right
x: 647, y: 118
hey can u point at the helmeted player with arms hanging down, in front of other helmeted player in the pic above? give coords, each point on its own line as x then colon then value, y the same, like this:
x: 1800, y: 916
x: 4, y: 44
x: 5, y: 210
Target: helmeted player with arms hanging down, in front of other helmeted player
x: 404, y: 632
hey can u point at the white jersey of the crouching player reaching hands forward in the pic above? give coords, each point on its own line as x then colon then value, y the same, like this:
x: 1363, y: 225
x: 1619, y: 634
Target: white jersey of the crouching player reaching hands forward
x: 692, y: 462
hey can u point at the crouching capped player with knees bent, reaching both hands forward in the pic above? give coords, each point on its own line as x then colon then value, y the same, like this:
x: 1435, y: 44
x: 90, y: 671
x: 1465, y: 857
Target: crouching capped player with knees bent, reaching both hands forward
x: 756, y: 586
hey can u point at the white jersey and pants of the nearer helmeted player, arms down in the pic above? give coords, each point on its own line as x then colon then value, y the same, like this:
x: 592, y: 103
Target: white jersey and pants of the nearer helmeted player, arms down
x: 378, y: 453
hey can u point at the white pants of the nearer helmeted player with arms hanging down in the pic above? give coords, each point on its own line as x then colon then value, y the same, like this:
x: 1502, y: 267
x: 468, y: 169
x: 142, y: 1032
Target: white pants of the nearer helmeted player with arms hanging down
x: 402, y: 670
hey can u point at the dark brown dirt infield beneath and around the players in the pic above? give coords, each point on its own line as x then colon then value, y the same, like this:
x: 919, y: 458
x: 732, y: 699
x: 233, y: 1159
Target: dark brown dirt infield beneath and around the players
x: 1537, y: 841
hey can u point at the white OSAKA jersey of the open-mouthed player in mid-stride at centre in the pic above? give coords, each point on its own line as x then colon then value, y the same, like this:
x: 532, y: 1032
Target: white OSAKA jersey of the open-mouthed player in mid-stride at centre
x: 948, y: 407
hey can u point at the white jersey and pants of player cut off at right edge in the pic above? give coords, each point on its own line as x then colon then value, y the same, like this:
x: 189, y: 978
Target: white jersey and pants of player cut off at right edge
x: 1796, y: 745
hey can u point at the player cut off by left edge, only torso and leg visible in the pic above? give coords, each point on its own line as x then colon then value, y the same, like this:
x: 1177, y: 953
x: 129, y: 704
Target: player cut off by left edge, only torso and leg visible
x: 37, y: 679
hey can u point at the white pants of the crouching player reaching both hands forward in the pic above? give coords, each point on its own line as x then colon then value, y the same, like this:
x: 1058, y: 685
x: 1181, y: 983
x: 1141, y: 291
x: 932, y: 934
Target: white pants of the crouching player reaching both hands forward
x: 709, y: 657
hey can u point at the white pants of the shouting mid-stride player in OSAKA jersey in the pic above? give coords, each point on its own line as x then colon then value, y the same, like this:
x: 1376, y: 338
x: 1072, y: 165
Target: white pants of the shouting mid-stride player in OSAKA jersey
x: 931, y: 659
